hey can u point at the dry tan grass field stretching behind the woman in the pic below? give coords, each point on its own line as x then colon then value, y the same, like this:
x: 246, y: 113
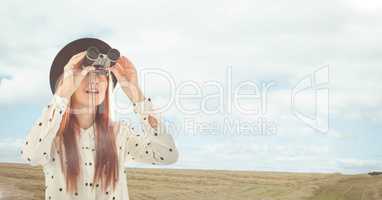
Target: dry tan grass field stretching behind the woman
x: 22, y: 182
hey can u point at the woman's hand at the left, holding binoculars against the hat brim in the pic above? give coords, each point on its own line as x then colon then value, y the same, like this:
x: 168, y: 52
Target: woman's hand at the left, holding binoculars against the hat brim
x: 73, y: 75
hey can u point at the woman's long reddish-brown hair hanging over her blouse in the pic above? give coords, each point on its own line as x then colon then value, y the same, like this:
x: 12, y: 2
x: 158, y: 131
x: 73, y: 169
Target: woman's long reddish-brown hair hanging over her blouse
x: 106, y: 159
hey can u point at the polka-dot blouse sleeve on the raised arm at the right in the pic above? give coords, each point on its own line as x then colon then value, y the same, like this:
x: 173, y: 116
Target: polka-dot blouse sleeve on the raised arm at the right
x: 148, y: 144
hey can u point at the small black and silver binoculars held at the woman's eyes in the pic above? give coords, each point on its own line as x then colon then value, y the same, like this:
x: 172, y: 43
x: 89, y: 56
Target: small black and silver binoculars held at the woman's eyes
x: 100, y: 61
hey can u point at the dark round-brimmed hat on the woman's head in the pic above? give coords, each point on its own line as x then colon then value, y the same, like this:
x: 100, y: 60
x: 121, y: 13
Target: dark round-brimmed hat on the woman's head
x: 74, y: 47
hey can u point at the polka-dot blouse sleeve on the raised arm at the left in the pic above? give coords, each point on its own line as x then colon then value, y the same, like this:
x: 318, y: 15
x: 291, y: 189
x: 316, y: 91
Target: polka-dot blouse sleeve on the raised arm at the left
x: 36, y: 149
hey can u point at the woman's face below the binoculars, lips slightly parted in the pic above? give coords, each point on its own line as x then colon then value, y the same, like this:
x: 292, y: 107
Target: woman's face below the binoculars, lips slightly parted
x: 91, y: 91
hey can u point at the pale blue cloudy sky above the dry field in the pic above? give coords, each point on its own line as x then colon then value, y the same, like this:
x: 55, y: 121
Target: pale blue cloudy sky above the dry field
x: 311, y: 71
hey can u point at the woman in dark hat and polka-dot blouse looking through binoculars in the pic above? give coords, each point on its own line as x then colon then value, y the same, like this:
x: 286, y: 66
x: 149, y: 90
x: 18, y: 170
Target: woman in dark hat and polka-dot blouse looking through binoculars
x: 81, y: 149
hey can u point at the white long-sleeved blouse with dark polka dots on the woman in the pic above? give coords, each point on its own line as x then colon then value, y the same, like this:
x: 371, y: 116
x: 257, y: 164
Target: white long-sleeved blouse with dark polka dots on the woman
x: 150, y: 145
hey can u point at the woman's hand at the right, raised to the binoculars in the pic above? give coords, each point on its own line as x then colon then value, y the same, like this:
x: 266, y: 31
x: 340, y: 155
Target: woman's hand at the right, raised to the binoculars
x: 127, y: 77
